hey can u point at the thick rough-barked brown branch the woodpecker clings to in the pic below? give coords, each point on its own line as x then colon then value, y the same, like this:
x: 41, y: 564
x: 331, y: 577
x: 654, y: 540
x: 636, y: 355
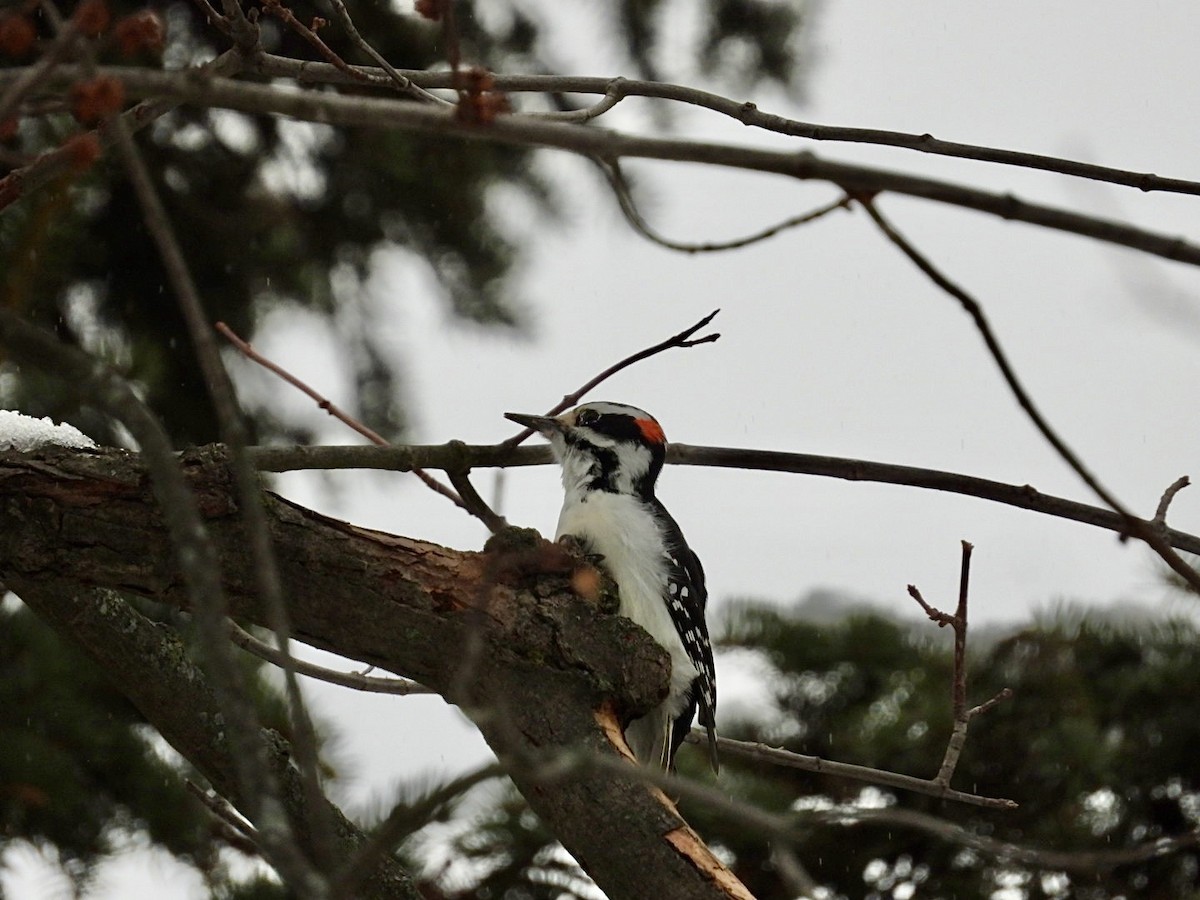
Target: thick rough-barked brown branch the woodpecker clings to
x: 539, y: 669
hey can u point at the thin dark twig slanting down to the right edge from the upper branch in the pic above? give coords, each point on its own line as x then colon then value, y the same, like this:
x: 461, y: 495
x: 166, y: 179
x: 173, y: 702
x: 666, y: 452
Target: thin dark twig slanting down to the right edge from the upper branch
x: 1135, y: 526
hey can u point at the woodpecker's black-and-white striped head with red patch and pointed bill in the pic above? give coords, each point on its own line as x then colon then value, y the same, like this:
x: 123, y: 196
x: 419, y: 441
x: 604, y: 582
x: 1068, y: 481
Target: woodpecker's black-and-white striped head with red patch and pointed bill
x: 604, y: 447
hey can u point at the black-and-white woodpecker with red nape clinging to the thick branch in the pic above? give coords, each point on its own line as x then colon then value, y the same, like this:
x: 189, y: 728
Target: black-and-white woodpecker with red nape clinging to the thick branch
x: 611, y: 455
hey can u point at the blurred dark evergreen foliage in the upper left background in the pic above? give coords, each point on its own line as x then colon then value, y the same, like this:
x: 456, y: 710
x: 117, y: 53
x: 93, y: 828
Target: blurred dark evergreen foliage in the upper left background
x: 278, y: 212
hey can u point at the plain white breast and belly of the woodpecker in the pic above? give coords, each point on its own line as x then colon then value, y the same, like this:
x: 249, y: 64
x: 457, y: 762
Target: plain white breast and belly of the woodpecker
x: 621, y: 529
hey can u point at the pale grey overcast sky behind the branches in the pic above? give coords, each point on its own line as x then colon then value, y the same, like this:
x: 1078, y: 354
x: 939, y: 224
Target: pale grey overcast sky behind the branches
x: 833, y: 344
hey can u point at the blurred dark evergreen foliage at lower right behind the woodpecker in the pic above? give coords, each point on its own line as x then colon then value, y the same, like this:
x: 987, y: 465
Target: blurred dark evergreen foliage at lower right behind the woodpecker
x: 1099, y: 747
